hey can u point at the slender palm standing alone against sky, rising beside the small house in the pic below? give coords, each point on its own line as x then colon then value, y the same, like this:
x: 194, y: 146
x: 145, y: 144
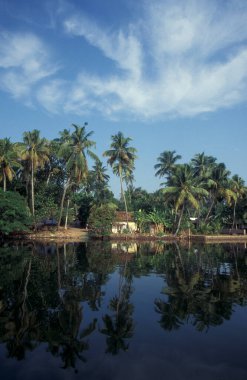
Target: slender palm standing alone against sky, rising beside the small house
x: 121, y: 158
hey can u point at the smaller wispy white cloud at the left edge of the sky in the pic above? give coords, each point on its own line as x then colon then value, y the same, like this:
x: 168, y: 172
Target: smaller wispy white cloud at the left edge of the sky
x: 24, y: 61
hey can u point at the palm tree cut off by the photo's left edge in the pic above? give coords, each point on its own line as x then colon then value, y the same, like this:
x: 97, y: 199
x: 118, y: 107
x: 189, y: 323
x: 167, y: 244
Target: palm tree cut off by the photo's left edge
x: 8, y: 160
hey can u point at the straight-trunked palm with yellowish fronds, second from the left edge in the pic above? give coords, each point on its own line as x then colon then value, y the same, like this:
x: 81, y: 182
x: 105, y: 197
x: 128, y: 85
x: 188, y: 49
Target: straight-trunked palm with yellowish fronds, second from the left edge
x: 35, y: 154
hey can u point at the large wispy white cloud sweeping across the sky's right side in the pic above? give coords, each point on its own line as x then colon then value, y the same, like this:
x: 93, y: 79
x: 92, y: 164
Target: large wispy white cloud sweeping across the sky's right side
x: 180, y: 58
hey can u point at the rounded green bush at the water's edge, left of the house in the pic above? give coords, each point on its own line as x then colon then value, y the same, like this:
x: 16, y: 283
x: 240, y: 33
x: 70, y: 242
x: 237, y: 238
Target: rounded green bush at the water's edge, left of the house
x: 101, y: 218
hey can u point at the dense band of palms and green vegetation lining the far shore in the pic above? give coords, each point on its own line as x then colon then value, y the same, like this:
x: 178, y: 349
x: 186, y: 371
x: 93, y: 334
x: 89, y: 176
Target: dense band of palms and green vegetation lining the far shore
x: 54, y: 178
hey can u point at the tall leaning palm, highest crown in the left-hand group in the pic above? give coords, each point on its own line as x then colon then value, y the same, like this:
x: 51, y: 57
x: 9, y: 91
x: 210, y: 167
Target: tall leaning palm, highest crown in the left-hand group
x: 74, y: 150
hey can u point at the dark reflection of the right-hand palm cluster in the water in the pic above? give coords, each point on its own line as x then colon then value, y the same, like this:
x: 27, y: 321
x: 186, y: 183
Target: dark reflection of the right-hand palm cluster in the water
x: 201, y: 290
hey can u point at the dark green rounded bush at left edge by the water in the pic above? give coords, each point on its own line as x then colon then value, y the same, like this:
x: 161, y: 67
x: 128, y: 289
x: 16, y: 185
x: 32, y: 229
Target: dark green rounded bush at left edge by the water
x: 15, y: 215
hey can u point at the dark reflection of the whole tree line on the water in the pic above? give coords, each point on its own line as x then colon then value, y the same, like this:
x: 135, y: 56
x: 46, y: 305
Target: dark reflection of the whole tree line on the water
x: 54, y: 294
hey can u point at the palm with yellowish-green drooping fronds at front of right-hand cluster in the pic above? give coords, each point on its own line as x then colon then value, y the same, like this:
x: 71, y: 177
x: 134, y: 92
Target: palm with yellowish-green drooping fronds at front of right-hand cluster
x: 182, y: 188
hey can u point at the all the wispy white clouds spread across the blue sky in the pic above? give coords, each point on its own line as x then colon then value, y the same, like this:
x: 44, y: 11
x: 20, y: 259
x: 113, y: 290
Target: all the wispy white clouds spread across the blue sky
x: 179, y: 58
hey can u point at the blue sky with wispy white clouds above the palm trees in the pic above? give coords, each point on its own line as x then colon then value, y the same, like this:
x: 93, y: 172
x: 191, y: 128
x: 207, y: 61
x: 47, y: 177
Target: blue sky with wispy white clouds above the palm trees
x: 172, y: 75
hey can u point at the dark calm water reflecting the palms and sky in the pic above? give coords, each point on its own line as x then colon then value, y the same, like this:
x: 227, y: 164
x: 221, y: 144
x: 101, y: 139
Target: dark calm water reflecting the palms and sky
x: 93, y: 311
